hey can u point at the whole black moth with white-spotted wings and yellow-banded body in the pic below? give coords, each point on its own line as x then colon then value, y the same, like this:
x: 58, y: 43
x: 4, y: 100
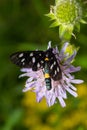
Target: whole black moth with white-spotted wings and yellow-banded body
x: 36, y: 60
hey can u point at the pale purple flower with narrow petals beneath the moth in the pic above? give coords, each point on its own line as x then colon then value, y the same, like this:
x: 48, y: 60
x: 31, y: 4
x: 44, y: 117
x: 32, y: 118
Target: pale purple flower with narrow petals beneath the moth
x: 36, y: 80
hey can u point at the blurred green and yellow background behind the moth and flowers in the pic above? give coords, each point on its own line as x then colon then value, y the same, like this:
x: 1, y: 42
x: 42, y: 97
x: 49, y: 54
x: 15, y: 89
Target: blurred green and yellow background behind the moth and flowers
x: 23, y: 26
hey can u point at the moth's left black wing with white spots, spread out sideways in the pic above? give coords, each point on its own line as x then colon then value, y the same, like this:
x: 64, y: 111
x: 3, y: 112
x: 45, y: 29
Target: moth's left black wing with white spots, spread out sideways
x: 28, y: 59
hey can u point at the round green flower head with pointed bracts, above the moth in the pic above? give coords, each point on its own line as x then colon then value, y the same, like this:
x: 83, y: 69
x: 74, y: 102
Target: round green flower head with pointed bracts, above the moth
x: 66, y: 14
